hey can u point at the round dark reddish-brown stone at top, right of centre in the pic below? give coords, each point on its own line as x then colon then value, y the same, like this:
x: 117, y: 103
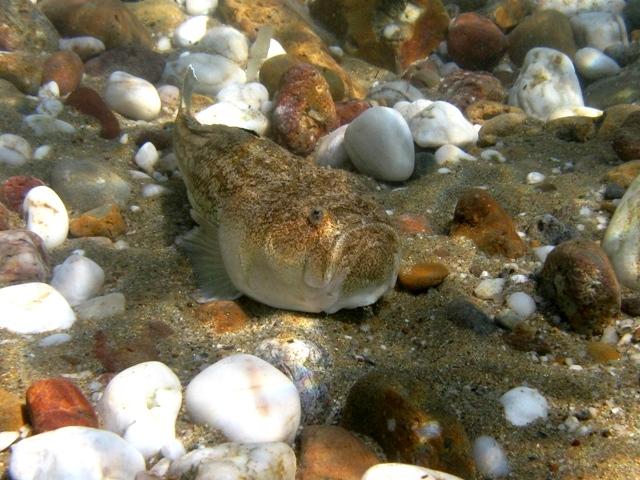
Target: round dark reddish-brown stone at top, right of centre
x: 474, y: 42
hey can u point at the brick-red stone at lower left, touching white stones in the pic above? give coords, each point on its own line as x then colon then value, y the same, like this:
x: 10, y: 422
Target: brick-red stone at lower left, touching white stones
x: 57, y: 402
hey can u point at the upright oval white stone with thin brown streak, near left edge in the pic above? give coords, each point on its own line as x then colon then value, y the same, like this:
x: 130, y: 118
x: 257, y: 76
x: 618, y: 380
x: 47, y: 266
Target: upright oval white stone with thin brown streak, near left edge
x: 46, y: 216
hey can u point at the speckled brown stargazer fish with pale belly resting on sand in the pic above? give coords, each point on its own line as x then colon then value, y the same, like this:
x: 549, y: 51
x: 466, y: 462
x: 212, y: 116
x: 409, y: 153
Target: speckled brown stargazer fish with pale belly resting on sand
x: 276, y: 227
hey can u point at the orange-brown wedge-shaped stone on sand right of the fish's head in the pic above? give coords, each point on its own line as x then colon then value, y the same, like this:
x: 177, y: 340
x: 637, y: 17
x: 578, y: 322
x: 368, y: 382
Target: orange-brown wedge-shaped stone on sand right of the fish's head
x: 480, y: 217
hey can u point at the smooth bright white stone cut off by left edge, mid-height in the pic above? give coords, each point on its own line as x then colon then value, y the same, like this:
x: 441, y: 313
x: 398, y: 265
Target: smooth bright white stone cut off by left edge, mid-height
x: 34, y: 308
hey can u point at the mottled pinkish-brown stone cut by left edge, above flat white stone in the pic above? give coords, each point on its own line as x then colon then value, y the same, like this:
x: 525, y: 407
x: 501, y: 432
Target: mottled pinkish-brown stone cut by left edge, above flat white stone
x: 23, y: 258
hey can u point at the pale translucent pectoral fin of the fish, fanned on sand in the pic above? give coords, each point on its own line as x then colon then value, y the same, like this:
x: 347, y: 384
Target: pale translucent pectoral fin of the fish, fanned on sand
x: 202, y: 248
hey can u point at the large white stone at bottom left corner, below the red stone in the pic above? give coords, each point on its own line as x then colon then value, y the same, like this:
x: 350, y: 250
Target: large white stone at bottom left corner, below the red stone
x: 74, y: 453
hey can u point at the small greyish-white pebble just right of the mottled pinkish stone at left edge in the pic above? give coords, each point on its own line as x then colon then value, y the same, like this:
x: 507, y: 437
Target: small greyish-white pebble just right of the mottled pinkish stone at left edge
x: 78, y: 279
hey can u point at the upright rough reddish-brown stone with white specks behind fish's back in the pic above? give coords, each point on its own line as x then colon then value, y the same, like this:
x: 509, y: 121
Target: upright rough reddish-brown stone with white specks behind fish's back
x: 303, y: 109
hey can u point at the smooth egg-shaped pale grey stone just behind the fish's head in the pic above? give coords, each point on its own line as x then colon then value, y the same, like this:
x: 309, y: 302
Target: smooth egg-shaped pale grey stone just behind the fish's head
x: 380, y: 145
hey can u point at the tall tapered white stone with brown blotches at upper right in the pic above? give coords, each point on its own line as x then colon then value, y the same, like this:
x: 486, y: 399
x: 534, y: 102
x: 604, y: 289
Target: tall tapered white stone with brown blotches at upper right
x: 546, y: 82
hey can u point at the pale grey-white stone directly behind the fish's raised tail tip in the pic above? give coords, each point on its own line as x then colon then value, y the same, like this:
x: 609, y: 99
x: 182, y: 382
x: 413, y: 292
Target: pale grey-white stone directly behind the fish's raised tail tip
x: 213, y: 72
